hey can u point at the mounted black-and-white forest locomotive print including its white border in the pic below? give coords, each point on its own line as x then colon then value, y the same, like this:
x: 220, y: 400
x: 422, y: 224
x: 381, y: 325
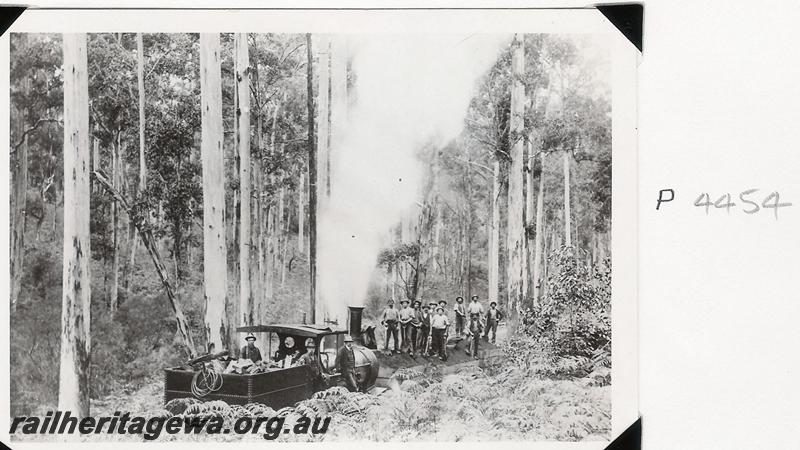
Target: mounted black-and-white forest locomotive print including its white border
x: 393, y: 227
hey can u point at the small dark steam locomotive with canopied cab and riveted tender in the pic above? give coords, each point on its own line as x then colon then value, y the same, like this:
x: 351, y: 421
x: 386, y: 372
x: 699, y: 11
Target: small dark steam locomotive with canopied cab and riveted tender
x: 280, y: 386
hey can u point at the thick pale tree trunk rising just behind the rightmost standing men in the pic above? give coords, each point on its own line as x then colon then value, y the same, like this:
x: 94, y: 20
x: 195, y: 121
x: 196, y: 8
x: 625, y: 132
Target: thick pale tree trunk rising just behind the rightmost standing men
x: 516, y: 229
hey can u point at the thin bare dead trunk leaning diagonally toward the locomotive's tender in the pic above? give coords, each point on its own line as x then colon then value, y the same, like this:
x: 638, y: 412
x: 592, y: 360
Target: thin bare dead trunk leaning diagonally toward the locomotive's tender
x: 150, y: 243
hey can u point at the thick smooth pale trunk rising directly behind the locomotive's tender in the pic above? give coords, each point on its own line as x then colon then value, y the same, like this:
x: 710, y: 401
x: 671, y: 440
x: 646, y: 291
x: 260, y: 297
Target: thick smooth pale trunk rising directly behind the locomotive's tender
x: 214, y: 249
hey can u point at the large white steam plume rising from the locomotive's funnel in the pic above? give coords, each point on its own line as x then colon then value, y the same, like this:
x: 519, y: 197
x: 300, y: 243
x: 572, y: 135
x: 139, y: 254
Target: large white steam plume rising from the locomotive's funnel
x: 409, y: 91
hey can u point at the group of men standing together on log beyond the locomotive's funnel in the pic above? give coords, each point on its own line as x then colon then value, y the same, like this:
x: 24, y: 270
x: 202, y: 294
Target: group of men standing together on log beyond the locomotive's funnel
x: 423, y: 329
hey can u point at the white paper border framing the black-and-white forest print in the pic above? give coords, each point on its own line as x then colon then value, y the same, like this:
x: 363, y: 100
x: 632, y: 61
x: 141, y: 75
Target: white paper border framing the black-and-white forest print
x: 625, y: 59
